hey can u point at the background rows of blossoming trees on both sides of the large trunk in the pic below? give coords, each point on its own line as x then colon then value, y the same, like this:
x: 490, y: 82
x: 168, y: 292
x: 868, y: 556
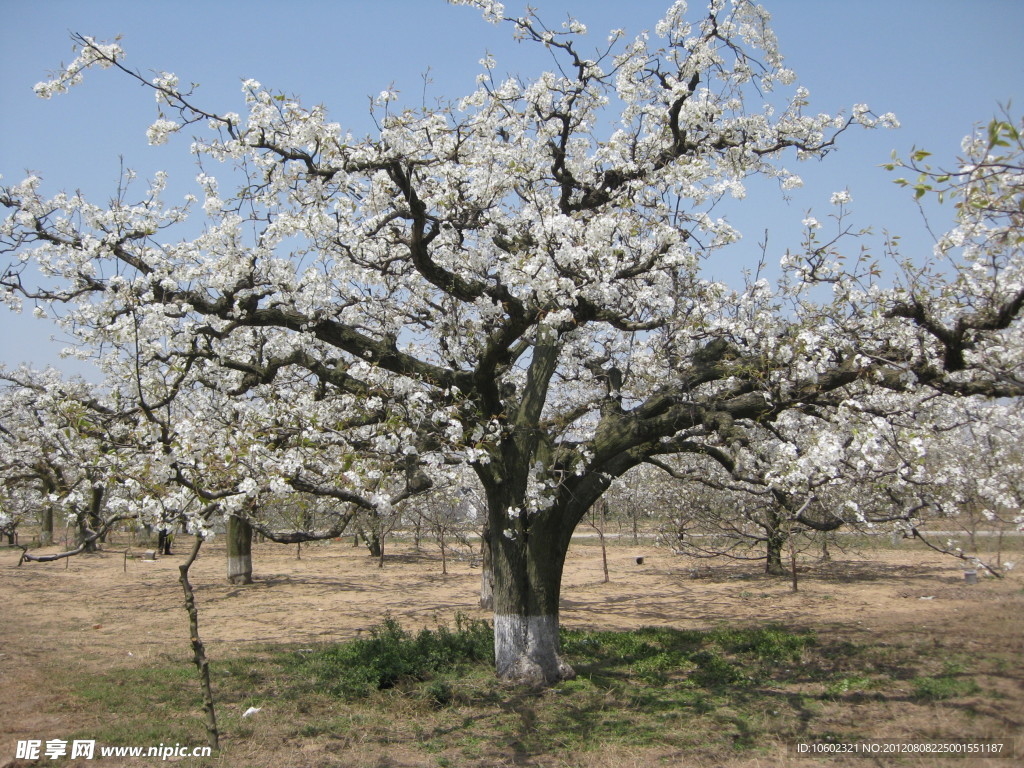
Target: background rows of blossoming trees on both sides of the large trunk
x: 907, y: 466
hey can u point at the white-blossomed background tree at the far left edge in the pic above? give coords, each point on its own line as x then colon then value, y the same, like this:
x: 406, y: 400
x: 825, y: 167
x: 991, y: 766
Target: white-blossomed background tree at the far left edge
x: 77, y: 453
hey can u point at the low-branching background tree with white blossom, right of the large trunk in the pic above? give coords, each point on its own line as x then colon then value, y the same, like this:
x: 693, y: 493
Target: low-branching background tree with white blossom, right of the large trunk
x: 800, y: 474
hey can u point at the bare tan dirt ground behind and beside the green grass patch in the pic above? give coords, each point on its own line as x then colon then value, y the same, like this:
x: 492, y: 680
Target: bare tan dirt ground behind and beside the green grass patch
x: 104, y: 611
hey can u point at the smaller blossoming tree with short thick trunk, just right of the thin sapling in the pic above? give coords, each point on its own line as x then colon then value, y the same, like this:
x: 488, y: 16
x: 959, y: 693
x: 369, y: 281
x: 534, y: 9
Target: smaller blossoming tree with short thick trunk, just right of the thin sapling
x: 273, y: 460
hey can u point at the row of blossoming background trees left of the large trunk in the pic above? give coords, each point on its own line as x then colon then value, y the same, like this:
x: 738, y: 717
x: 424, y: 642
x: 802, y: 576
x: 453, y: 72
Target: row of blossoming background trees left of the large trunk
x: 82, y: 459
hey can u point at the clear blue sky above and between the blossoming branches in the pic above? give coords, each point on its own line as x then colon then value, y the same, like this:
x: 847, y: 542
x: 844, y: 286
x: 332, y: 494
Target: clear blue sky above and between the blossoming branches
x: 941, y: 65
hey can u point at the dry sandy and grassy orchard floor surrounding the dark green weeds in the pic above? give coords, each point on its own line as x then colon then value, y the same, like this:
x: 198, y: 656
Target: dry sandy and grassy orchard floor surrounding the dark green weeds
x: 905, y: 651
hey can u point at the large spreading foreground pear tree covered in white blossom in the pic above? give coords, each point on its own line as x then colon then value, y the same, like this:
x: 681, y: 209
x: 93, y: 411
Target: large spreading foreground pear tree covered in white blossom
x: 513, y: 285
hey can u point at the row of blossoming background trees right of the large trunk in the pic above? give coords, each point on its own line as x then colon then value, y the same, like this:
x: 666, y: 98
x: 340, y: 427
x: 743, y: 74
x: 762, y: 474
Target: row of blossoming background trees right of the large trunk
x: 946, y: 466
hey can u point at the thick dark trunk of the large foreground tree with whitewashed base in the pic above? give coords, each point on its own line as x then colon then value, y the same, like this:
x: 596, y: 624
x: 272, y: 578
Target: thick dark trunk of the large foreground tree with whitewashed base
x: 528, y: 572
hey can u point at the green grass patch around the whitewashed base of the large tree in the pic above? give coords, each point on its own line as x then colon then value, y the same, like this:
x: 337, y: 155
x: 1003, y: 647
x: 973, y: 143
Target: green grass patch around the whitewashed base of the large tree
x: 715, y: 693
